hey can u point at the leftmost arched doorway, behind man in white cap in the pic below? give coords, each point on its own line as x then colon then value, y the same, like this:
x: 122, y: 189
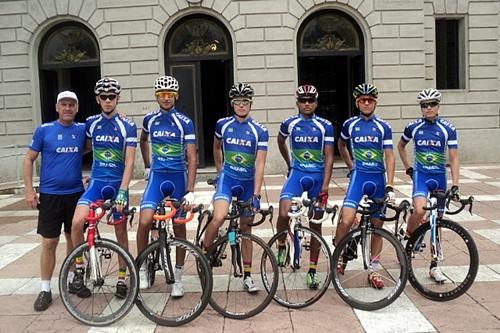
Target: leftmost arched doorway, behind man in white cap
x: 68, y: 59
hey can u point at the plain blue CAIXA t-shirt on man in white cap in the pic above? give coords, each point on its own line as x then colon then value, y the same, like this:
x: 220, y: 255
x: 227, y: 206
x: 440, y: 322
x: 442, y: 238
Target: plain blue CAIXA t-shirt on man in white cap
x: 61, y: 149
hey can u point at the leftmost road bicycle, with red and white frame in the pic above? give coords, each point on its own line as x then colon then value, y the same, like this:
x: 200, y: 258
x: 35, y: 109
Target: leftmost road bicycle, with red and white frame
x: 103, y: 258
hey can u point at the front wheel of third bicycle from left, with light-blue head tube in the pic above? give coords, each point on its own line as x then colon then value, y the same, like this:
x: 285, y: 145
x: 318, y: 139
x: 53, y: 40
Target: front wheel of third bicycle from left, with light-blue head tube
x: 232, y: 295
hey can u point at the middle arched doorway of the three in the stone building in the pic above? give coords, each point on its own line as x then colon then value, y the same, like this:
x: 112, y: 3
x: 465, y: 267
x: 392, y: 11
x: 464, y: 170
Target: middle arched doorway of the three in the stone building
x: 199, y: 54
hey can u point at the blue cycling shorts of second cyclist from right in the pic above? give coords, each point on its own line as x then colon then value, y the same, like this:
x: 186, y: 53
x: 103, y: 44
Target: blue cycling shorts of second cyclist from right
x: 364, y: 183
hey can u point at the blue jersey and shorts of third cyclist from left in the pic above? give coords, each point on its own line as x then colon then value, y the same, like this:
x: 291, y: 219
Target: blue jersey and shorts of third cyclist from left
x: 240, y: 143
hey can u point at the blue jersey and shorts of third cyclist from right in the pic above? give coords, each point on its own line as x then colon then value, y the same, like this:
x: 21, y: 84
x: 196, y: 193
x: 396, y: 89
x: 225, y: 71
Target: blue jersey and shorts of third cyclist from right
x: 308, y: 138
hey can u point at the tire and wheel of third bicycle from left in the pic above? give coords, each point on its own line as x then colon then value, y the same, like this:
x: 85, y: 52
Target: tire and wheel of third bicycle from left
x: 228, y: 296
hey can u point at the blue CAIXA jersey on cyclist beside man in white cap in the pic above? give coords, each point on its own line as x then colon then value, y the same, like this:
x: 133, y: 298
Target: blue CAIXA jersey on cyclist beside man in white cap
x: 110, y: 137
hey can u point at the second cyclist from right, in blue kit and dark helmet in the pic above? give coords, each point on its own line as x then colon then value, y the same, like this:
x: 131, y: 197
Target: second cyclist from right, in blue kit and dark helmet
x: 370, y: 139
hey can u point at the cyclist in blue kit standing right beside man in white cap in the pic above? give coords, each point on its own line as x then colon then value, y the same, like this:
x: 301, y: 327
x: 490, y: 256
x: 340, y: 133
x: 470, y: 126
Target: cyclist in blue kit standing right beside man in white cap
x: 113, y: 139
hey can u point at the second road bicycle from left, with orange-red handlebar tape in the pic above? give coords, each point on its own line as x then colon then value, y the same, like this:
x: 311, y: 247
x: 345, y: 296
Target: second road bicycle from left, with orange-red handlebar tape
x: 160, y: 258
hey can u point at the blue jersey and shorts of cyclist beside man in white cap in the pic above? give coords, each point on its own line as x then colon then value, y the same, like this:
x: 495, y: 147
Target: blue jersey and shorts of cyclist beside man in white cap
x: 110, y: 138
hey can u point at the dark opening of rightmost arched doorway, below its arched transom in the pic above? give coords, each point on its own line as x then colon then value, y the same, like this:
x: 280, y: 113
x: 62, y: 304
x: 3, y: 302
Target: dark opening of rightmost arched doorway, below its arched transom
x: 334, y: 77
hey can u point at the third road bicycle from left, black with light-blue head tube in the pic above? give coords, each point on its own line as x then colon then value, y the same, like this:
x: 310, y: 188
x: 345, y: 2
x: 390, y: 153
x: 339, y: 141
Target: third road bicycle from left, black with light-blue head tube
x: 226, y: 257
